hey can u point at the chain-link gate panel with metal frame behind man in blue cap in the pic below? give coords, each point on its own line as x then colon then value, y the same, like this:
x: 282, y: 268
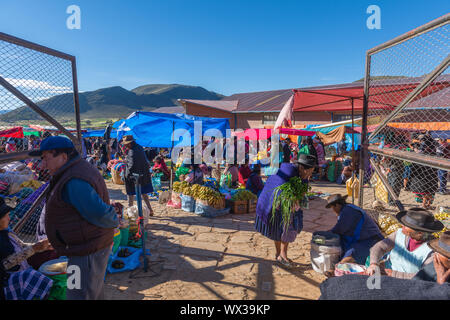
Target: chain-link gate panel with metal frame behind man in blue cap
x: 38, y: 98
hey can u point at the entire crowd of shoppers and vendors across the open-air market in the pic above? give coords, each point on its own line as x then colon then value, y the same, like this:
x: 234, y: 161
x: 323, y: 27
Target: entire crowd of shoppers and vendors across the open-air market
x: 76, y: 194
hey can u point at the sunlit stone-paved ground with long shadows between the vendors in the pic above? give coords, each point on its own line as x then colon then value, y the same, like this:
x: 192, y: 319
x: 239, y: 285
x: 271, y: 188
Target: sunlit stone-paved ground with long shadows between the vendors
x: 198, y: 258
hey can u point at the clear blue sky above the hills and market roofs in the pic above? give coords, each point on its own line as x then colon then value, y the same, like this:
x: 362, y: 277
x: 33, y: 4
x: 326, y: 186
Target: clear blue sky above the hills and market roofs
x: 225, y: 46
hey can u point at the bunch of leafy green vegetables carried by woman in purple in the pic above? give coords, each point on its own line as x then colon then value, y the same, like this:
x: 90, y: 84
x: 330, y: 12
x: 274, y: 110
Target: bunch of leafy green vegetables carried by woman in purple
x: 286, y: 197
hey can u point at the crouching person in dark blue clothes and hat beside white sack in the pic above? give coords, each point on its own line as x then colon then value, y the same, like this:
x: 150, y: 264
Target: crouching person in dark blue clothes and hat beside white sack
x: 357, y: 230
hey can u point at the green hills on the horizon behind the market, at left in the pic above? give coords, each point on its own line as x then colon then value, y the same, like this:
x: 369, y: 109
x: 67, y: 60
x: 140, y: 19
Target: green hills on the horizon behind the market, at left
x: 113, y: 102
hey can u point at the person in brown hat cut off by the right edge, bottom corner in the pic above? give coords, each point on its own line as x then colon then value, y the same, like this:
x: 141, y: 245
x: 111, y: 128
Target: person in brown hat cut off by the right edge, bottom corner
x: 439, y: 270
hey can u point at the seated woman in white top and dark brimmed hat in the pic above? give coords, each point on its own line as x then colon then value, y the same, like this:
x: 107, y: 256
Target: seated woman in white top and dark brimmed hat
x: 407, y: 248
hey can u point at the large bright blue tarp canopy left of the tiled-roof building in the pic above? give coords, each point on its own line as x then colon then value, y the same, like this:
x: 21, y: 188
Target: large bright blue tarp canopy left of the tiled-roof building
x: 152, y: 129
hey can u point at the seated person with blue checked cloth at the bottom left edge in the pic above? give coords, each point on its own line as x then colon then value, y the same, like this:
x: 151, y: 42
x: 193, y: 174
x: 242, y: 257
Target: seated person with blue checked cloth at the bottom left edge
x: 19, y: 281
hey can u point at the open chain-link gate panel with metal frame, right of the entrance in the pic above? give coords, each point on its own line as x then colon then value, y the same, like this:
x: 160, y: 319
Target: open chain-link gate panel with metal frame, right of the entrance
x: 407, y: 121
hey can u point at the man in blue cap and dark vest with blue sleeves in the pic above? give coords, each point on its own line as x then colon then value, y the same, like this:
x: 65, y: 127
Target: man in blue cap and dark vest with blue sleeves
x: 79, y: 220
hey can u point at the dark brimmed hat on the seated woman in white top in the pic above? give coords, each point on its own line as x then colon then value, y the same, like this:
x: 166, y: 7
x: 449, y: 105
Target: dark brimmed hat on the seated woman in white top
x: 419, y: 219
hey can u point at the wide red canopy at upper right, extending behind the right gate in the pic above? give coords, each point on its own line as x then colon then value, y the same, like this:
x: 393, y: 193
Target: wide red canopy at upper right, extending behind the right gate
x: 384, y: 94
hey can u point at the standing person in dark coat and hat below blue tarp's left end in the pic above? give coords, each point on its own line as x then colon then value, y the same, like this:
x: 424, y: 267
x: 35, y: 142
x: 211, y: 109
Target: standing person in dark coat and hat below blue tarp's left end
x: 136, y: 163
